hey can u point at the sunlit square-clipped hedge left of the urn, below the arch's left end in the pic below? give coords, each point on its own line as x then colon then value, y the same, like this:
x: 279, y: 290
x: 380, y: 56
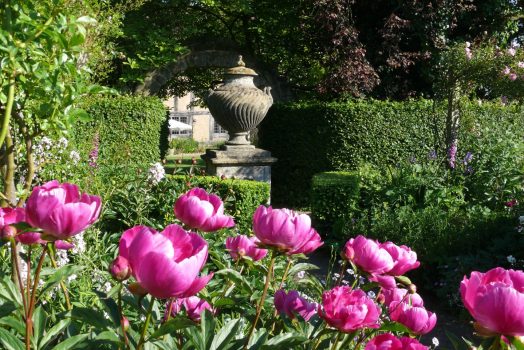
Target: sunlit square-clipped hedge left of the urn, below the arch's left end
x: 128, y: 130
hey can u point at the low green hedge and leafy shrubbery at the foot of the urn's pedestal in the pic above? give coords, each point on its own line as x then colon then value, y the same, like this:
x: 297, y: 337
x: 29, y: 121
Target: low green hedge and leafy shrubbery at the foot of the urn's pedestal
x: 133, y: 200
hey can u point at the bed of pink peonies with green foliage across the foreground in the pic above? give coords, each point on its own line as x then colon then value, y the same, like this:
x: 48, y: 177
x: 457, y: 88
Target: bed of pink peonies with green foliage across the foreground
x: 198, y: 285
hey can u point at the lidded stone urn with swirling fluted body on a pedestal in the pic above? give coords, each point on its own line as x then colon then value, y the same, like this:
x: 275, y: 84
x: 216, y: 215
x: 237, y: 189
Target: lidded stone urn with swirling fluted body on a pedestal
x: 238, y: 105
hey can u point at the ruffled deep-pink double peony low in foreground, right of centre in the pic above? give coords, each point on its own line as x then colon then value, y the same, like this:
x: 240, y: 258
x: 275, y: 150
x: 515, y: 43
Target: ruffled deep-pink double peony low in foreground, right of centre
x: 348, y: 310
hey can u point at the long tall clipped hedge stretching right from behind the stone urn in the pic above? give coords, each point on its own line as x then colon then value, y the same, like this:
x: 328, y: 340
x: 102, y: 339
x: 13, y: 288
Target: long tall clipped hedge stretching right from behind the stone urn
x: 312, y: 137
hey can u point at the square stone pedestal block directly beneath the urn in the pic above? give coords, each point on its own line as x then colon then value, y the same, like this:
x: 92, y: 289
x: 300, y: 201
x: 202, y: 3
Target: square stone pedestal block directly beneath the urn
x: 242, y: 162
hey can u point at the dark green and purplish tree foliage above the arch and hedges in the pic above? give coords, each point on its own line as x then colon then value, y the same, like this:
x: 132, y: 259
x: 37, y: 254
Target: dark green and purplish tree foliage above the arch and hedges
x: 380, y: 48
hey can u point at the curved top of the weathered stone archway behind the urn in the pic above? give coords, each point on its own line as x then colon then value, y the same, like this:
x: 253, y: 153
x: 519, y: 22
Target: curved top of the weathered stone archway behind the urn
x: 156, y: 79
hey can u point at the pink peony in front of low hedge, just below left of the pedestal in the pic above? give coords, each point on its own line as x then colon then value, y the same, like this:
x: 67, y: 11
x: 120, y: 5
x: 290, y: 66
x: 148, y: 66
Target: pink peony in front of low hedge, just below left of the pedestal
x: 202, y: 211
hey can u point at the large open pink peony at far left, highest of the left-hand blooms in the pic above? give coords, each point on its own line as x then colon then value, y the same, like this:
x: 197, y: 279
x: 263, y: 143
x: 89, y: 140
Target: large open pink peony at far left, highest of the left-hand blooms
x: 60, y: 210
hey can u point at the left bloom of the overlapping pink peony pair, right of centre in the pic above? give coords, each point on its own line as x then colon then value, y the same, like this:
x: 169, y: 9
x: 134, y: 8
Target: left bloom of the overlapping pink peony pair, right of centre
x: 368, y: 255
